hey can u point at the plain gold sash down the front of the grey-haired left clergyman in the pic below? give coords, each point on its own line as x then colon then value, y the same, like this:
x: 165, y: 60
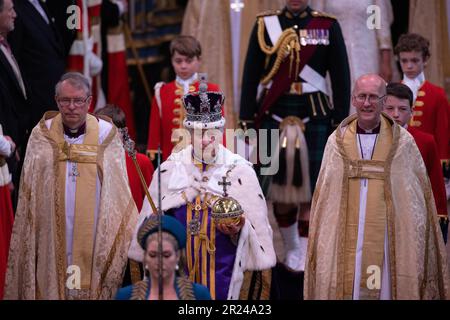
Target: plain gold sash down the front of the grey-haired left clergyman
x: 85, y: 156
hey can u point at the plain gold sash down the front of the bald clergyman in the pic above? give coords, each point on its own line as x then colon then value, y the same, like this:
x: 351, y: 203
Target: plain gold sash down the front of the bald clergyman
x: 376, y: 211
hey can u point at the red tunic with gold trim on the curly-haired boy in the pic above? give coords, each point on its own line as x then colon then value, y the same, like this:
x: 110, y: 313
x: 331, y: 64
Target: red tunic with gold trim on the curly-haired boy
x: 431, y: 115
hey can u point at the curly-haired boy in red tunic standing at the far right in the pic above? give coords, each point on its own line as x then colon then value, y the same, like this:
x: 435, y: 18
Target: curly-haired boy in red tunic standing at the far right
x: 431, y: 109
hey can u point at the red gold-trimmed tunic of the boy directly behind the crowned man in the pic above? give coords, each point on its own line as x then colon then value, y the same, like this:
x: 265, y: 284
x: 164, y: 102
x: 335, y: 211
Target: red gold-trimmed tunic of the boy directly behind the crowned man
x: 167, y: 116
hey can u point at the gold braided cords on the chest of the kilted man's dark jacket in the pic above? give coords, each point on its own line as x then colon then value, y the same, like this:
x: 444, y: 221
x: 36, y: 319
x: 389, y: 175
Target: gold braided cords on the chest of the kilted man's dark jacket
x: 288, y: 43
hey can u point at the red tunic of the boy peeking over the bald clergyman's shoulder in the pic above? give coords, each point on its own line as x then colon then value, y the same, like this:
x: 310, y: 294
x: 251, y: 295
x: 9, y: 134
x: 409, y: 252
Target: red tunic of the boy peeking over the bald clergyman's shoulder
x: 428, y: 150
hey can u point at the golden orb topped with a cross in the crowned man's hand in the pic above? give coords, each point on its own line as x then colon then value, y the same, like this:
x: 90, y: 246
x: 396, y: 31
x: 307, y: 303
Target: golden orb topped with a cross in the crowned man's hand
x: 226, y: 209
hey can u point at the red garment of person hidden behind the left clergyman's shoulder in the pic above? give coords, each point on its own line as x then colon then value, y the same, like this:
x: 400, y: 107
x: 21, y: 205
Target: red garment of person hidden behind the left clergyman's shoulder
x: 137, y: 190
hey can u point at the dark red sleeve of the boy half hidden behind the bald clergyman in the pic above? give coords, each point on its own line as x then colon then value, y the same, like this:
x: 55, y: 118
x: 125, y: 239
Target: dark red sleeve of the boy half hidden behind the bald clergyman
x: 434, y: 169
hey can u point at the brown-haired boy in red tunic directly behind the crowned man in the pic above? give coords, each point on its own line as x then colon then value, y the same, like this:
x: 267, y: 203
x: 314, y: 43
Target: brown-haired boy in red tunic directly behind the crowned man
x: 167, y: 112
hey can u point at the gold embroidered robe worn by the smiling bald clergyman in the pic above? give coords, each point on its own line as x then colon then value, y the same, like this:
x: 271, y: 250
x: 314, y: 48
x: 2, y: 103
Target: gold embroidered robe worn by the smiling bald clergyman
x: 405, y: 206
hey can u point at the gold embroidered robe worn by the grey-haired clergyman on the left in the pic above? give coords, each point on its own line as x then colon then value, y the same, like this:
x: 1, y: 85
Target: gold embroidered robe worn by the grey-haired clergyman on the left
x: 37, y: 266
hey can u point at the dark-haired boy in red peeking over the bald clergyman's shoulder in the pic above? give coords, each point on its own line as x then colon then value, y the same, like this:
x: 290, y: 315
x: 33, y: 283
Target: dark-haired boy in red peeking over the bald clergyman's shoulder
x: 399, y: 105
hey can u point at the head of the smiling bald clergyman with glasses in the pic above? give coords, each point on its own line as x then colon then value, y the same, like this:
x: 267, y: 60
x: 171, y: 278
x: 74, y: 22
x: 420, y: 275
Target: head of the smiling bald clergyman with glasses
x: 367, y: 98
